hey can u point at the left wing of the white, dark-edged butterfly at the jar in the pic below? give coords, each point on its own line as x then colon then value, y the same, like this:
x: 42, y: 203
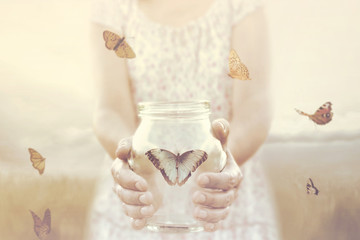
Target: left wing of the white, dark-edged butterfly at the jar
x: 165, y: 161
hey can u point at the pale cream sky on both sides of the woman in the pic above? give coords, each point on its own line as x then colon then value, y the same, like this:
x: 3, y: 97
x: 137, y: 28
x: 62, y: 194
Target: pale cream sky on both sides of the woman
x: 46, y: 84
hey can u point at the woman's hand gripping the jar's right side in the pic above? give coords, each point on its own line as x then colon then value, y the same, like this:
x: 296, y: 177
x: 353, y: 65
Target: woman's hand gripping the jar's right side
x: 217, y: 190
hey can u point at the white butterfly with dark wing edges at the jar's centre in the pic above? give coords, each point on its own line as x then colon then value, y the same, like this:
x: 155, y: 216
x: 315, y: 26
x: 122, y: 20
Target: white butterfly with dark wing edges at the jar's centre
x: 176, y: 169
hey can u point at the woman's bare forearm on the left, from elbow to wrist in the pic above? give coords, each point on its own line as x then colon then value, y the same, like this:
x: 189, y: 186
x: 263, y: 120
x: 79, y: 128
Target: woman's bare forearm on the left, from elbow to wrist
x: 110, y: 128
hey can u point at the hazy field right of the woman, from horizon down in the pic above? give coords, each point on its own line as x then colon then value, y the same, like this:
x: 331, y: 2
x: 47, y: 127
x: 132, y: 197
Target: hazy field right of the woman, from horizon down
x: 332, y: 215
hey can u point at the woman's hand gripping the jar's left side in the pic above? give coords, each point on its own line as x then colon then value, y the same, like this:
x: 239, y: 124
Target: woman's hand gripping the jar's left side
x: 132, y: 189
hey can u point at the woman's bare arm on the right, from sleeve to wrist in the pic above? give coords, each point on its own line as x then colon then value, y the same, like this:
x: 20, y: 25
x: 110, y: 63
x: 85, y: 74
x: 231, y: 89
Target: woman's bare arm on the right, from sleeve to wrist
x: 251, y: 118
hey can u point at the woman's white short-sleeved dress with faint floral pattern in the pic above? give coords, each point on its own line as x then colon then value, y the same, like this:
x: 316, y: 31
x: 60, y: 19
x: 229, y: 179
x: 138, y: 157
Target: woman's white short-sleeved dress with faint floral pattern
x: 182, y: 63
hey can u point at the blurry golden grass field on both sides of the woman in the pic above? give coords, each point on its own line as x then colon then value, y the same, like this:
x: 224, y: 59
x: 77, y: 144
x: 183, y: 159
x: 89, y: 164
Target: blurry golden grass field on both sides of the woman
x: 332, y: 215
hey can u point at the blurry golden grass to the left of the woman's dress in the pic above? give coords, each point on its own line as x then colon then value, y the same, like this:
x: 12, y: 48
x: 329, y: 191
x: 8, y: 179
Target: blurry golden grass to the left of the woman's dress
x: 67, y: 198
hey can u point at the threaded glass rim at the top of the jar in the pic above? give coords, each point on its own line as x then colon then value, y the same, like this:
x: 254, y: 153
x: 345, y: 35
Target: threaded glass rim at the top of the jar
x: 174, y: 108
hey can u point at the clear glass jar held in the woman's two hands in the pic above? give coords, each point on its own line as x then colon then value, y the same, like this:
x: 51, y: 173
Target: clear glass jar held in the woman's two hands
x: 172, y: 145
